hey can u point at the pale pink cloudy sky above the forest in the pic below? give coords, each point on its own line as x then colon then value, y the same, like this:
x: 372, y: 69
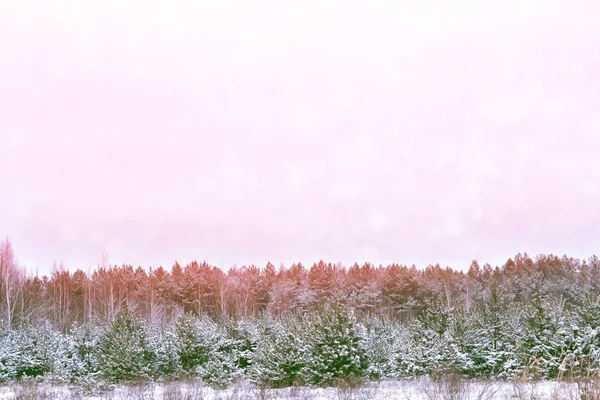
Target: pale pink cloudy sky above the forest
x: 245, y: 131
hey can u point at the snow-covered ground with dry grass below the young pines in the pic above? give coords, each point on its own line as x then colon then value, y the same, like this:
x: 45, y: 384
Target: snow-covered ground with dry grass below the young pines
x: 419, y: 389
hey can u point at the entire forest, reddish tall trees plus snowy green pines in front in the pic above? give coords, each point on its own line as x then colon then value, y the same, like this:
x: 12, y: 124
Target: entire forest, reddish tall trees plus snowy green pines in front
x: 319, y: 325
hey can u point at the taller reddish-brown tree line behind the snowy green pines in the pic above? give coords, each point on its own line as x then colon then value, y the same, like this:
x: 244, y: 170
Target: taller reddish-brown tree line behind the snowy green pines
x: 161, y: 296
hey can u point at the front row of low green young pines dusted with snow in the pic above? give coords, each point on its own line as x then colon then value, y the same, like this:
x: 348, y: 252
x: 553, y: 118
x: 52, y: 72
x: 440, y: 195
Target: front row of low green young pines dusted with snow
x: 324, y: 347
